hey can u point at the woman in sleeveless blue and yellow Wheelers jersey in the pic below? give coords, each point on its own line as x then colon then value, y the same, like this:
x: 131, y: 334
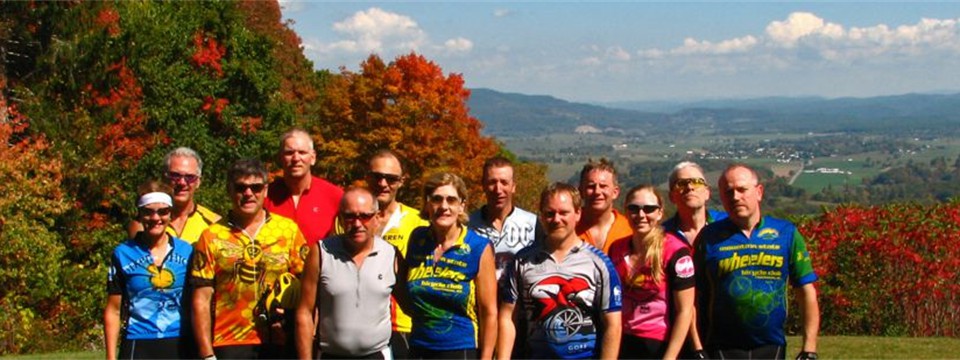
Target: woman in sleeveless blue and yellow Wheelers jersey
x: 451, y: 279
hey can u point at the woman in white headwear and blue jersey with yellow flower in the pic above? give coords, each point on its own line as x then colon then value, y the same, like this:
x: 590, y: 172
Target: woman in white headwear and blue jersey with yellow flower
x: 145, y: 282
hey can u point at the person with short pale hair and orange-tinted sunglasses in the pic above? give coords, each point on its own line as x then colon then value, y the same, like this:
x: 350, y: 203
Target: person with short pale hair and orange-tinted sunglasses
x: 690, y: 193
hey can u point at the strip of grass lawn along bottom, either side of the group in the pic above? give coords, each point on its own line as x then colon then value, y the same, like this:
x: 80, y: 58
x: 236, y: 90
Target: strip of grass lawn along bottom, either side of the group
x: 829, y: 347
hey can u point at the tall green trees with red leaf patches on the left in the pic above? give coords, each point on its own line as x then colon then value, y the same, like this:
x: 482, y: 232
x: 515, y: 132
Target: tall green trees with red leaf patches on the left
x: 110, y: 87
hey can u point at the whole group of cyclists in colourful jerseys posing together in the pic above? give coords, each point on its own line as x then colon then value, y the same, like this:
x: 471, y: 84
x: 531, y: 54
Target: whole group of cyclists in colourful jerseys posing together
x: 301, y: 268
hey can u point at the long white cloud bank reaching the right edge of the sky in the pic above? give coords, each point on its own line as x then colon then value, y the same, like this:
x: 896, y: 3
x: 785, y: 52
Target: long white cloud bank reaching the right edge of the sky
x: 804, y: 38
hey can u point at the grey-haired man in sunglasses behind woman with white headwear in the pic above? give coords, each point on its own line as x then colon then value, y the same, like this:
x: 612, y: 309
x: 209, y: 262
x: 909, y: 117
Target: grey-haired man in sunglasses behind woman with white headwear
x: 182, y: 170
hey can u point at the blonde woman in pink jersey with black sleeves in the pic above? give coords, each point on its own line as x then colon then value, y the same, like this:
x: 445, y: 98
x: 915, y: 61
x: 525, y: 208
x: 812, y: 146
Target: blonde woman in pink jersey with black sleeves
x: 656, y: 271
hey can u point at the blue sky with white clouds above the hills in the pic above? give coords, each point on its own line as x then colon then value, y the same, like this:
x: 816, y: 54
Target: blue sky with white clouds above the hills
x: 647, y: 51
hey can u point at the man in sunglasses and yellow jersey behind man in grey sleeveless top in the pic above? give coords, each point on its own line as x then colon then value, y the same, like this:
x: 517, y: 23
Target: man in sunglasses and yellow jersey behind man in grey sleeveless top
x: 385, y: 179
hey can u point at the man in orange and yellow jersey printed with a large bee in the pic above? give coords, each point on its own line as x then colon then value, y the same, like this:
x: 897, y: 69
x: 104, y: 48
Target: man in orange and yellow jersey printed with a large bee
x: 236, y: 265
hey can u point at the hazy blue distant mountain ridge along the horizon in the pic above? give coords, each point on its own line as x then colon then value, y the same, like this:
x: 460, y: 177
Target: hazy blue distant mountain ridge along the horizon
x: 509, y: 114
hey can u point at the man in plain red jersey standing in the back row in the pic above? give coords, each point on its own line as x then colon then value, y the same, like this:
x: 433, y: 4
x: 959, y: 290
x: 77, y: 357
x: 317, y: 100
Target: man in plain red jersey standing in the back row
x: 309, y: 200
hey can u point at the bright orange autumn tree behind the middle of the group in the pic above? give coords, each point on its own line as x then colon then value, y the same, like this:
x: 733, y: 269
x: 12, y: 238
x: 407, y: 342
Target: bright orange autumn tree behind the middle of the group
x: 410, y: 107
